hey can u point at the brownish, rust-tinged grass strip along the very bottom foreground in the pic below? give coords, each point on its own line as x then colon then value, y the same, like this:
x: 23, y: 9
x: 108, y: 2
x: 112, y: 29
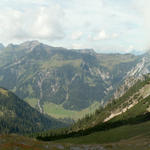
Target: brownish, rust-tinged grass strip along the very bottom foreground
x: 13, y: 142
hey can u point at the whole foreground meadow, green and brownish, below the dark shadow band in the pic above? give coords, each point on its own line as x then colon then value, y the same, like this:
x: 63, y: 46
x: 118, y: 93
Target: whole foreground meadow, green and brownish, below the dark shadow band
x: 136, y: 137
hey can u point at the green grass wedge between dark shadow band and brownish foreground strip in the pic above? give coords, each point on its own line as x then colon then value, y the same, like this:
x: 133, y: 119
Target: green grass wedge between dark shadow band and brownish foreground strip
x: 112, y: 135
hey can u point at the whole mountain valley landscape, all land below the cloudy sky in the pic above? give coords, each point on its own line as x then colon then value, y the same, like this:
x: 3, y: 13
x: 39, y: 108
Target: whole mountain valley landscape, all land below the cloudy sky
x: 76, y: 99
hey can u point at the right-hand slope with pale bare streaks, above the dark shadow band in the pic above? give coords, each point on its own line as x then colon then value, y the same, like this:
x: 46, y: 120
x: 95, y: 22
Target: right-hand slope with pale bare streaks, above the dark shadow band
x: 135, y: 97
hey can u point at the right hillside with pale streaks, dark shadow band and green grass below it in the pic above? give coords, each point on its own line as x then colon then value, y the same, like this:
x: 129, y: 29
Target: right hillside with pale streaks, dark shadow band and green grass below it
x: 126, y: 118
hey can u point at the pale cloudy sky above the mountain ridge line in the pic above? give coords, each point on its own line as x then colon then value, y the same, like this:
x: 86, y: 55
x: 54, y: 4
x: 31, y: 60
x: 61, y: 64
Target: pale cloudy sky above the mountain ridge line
x: 107, y: 26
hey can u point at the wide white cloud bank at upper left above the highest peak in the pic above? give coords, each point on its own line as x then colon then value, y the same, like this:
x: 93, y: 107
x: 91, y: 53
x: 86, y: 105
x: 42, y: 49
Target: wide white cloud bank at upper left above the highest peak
x: 40, y: 23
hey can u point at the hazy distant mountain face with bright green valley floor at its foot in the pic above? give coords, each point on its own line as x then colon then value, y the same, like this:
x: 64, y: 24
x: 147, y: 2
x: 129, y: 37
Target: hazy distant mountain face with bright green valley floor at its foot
x: 54, y: 80
